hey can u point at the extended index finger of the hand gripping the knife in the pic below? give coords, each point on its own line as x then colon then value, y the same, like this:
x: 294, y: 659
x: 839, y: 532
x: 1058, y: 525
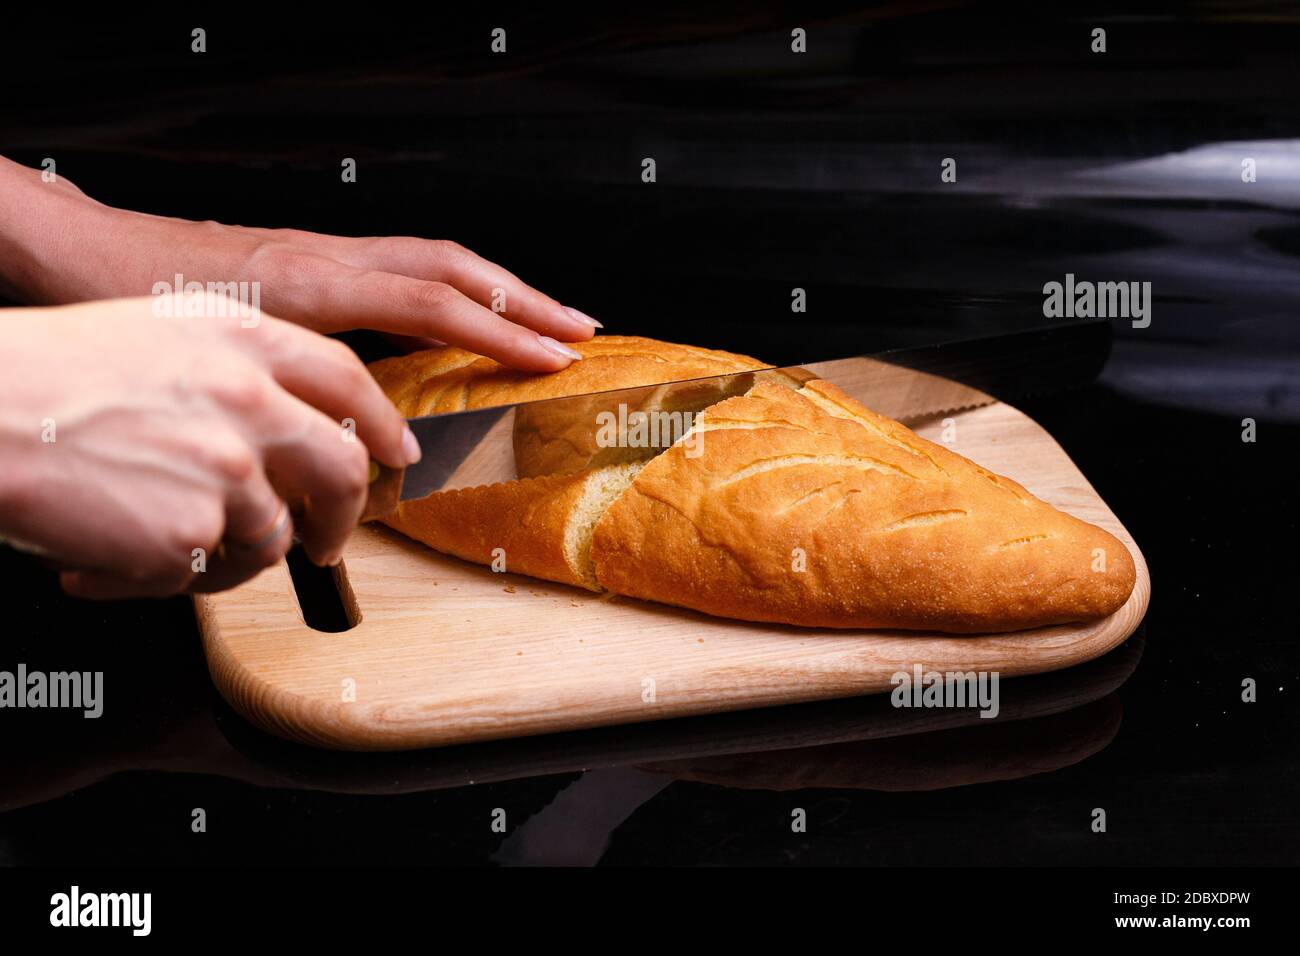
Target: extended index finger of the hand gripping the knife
x: 328, y: 375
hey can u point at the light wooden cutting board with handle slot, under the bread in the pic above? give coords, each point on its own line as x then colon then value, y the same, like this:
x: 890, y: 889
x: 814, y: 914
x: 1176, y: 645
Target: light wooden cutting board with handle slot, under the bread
x: 445, y: 652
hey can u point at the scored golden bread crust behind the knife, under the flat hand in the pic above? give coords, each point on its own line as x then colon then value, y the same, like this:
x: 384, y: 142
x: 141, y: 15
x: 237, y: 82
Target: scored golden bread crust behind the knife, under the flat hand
x: 445, y: 380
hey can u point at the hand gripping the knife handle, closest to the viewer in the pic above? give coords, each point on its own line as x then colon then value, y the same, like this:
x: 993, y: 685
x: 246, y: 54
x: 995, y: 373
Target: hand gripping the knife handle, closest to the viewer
x: 151, y: 456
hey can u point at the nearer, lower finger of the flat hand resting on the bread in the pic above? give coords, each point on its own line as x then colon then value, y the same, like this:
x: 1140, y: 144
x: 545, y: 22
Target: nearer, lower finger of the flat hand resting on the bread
x: 327, y: 295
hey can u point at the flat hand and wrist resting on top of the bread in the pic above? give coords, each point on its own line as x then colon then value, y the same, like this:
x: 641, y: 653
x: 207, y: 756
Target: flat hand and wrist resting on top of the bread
x: 60, y: 246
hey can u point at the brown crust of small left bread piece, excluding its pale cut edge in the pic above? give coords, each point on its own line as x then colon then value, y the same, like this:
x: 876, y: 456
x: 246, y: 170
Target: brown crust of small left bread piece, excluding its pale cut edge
x: 526, y: 520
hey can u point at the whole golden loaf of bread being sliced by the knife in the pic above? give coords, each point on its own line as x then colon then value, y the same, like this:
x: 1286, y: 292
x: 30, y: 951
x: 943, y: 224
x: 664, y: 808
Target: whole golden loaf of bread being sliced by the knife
x: 791, y: 504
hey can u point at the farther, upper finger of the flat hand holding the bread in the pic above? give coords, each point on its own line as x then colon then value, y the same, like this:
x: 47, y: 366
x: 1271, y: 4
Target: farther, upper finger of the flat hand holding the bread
x: 478, y: 279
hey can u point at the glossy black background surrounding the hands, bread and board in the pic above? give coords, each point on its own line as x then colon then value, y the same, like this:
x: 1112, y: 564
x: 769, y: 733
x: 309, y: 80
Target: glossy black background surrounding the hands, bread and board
x: 774, y: 171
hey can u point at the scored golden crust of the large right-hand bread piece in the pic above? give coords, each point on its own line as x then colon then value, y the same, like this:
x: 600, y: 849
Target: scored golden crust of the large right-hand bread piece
x: 895, y: 531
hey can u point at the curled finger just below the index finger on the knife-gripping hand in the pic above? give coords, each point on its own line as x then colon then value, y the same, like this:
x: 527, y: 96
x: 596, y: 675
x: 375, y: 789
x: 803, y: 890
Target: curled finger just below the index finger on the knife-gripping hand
x: 326, y: 466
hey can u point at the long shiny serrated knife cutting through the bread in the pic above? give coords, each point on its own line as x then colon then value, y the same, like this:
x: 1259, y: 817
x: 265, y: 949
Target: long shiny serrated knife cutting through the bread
x: 912, y: 384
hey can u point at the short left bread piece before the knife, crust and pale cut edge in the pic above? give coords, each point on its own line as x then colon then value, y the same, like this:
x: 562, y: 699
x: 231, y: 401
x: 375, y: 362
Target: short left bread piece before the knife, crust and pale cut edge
x: 539, y: 527
